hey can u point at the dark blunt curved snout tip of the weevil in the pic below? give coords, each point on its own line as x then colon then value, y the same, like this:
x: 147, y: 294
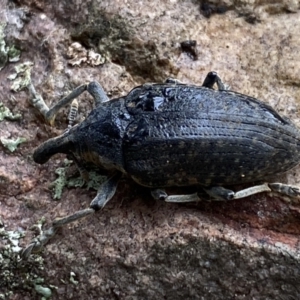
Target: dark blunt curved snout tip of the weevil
x: 60, y: 144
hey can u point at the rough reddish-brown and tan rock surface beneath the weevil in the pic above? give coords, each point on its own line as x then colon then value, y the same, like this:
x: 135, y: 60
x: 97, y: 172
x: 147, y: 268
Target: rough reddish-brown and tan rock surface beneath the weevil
x: 137, y: 248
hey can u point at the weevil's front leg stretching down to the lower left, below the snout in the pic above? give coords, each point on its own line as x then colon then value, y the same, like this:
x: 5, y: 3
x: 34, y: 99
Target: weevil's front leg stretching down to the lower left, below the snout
x: 104, y: 194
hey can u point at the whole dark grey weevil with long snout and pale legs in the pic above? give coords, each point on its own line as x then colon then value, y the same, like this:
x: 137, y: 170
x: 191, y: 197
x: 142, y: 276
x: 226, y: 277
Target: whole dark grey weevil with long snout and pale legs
x: 173, y: 134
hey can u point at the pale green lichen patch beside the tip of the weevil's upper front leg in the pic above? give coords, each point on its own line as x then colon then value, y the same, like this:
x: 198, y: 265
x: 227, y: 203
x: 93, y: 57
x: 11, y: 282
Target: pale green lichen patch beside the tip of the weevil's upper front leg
x: 21, y: 78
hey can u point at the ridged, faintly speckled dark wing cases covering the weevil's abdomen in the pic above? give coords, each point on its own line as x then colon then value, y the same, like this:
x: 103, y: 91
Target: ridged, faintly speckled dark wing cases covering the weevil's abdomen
x: 209, y: 144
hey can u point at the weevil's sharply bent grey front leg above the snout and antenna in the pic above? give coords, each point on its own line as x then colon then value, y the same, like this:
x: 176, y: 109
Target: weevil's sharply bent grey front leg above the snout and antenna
x: 94, y: 88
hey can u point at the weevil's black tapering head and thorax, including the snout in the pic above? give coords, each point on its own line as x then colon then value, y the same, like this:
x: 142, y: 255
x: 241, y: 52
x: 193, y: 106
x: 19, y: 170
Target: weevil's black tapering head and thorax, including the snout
x: 97, y: 141
